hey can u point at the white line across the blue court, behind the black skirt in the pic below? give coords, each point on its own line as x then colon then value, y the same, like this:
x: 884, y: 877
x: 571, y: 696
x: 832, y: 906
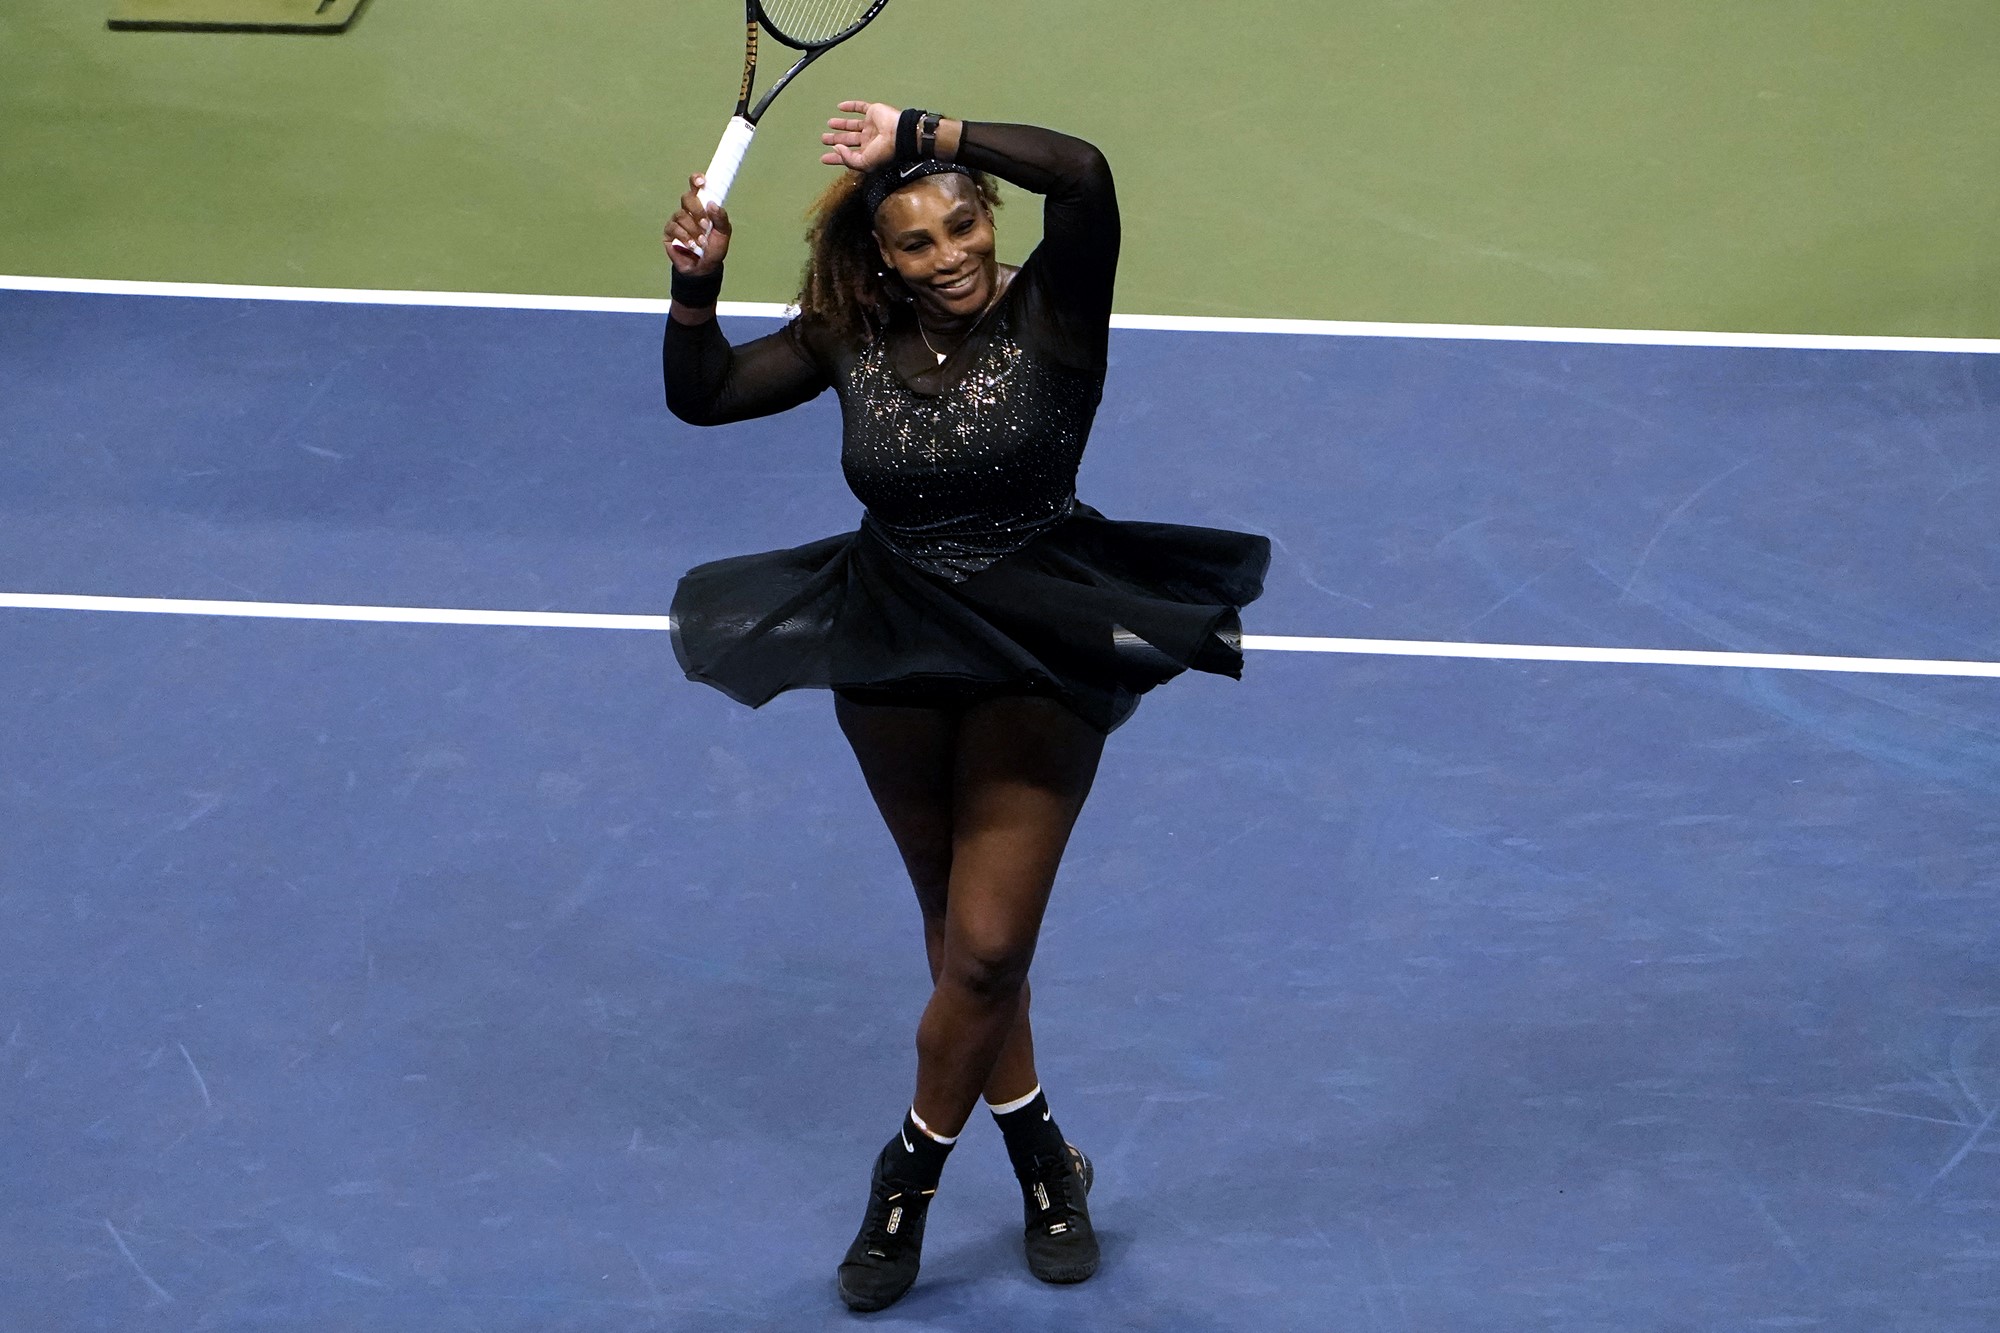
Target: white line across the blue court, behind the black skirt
x: 1269, y: 643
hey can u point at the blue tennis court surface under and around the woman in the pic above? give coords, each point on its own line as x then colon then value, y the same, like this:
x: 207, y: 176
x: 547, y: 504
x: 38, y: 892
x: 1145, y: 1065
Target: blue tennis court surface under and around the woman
x: 459, y: 978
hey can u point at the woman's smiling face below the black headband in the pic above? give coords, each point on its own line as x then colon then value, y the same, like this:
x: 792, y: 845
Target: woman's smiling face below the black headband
x: 939, y: 237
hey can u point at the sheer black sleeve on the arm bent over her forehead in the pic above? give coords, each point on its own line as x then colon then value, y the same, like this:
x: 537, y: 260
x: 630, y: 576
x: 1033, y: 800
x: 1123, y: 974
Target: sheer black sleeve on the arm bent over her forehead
x: 1073, y: 271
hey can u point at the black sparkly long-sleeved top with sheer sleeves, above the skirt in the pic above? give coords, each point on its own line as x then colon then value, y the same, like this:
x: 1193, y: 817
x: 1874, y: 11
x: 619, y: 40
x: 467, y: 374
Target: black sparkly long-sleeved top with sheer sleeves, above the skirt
x: 971, y: 459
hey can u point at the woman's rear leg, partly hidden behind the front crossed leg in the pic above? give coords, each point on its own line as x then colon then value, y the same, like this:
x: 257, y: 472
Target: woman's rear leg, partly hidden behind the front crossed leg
x: 907, y: 758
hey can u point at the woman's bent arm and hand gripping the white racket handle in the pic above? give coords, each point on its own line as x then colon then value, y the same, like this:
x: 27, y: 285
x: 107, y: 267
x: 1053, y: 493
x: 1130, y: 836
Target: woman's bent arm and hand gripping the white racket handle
x: 711, y: 383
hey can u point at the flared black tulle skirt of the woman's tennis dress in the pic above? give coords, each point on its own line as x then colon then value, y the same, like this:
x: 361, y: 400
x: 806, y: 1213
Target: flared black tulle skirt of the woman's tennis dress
x: 1093, y: 613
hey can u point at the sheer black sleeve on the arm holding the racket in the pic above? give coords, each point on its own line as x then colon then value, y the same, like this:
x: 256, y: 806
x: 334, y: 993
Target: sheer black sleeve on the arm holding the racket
x: 711, y: 383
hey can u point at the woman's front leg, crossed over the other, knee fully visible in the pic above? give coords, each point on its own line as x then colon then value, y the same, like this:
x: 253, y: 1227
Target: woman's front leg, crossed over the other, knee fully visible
x: 1021, y: 776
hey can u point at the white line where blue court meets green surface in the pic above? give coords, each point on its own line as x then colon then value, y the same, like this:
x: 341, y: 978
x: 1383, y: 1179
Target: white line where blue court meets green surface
x: 1171, y: 323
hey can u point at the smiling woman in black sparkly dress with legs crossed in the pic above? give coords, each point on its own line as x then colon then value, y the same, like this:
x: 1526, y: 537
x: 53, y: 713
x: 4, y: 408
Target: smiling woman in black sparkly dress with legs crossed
x: 983, y: 631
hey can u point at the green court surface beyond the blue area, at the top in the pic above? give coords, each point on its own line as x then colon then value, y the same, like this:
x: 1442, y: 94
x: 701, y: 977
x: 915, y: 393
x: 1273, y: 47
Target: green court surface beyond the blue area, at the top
x: 1747, y: 165
